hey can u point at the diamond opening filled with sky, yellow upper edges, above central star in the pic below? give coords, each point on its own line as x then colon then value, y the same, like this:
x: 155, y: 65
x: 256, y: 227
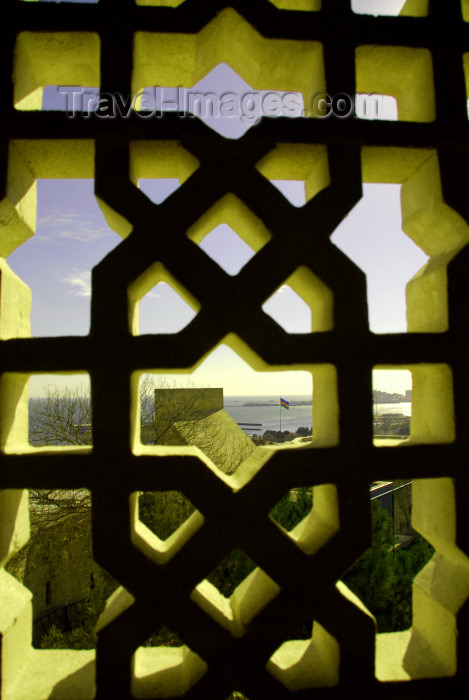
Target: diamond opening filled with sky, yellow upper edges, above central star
x: 229, y: 233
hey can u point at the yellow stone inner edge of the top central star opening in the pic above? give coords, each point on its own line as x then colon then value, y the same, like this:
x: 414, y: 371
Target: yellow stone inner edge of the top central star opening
x: 169, y: 59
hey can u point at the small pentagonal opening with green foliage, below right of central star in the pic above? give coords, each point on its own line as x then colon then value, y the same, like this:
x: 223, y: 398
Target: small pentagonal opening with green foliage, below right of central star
x: 309, y: 516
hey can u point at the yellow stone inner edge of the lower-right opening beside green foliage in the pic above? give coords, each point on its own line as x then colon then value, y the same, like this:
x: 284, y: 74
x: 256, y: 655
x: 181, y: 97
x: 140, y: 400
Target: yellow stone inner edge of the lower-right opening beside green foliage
x: 429, y: 648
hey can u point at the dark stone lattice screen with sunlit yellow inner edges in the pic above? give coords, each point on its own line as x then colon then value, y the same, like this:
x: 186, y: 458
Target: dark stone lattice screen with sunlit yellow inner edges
x: 125, y: 46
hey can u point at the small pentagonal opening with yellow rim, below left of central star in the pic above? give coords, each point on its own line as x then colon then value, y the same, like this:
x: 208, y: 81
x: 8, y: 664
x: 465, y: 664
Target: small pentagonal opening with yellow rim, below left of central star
x: 162, y: 522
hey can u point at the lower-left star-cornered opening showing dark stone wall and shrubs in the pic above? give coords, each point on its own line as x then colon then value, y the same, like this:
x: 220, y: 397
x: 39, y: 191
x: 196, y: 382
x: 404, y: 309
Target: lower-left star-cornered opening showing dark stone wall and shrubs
x: 69, y: 590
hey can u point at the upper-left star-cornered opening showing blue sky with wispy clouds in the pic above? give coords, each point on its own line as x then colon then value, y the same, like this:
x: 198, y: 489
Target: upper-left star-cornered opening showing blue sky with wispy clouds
x: 71, y: 237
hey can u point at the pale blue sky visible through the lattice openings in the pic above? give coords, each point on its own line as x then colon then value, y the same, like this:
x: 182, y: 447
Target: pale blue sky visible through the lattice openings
x: 72, y: 236
